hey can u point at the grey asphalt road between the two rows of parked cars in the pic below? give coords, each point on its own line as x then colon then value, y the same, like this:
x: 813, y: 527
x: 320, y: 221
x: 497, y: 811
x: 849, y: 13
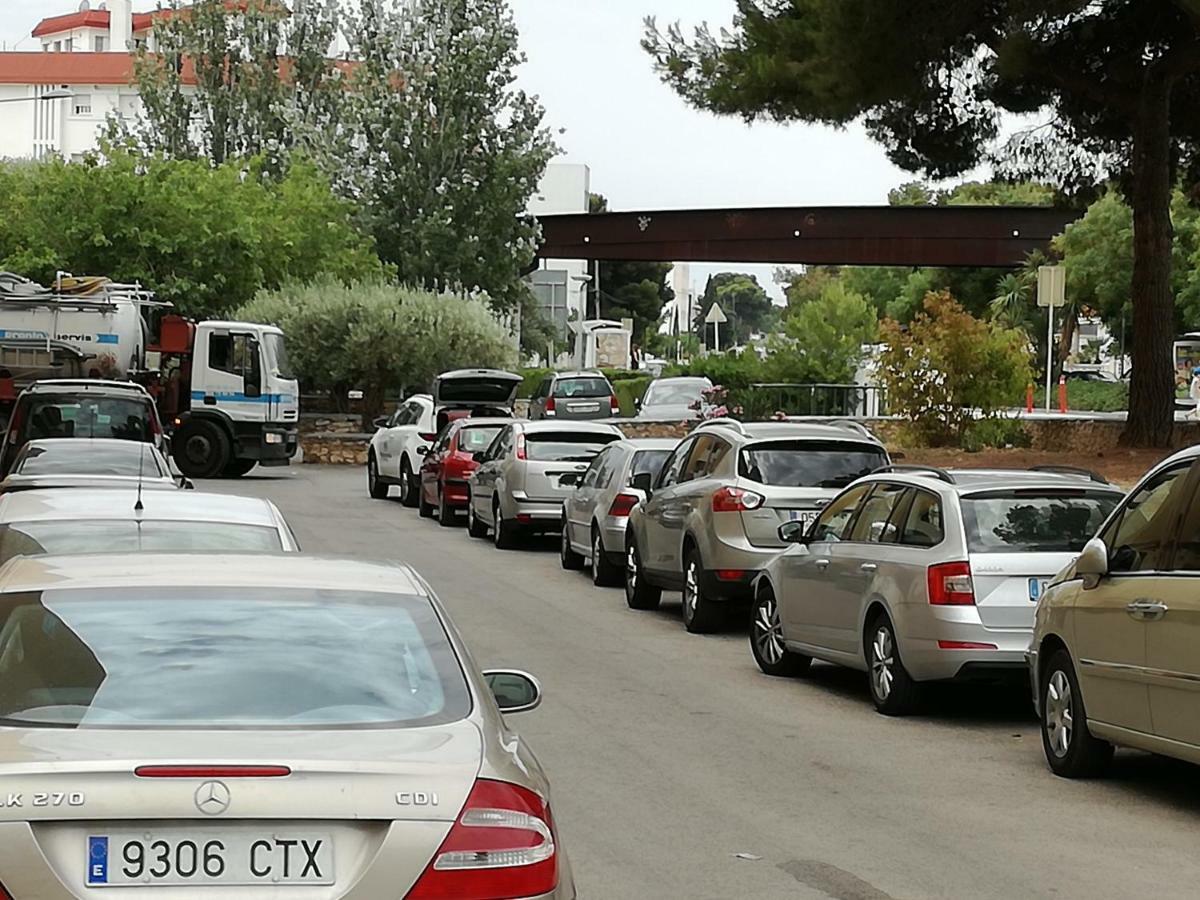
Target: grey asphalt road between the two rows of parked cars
x: 680, y: 771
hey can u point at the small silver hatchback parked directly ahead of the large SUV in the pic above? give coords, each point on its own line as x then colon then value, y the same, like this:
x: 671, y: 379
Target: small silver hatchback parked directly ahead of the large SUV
x: 597, y: 512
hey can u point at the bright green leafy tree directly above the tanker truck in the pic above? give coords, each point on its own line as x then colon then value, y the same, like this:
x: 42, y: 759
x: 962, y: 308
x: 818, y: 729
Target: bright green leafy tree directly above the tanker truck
x: 206, y: 238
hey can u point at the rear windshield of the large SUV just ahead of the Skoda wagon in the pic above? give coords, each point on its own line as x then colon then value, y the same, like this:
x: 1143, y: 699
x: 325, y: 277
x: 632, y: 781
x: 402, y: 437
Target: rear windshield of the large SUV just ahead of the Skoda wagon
x: 809, y: 464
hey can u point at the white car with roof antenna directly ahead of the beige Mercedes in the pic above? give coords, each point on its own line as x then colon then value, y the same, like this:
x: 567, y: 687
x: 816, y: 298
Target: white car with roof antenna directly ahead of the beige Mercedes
x: 115, y: 520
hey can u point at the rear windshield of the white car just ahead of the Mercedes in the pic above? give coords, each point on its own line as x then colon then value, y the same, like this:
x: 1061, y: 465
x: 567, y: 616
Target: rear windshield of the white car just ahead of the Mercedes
x: 128, y: 536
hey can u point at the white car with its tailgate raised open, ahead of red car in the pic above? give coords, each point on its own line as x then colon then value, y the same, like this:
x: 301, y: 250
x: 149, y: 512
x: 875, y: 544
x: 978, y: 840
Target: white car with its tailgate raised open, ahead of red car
x: 394, y: 457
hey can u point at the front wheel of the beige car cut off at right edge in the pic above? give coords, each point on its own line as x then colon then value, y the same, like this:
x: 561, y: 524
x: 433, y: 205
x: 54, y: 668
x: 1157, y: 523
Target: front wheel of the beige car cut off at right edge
x: 1071, y: 748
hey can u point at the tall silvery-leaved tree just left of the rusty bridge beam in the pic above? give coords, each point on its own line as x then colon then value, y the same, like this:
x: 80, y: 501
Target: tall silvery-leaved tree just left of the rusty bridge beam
x: 440, y: 148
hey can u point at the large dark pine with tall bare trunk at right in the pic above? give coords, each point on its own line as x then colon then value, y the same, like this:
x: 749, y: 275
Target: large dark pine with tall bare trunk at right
x: 1118, y: 85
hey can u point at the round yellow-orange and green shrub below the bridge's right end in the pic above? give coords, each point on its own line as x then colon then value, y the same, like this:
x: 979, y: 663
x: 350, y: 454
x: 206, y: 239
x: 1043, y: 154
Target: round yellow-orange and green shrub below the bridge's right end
x: 947, y: 368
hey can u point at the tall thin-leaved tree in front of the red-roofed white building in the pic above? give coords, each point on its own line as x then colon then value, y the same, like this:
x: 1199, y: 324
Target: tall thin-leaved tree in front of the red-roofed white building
x: 226, y: 83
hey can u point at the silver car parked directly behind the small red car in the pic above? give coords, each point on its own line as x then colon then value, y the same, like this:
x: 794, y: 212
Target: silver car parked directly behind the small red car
x: 526, y: 473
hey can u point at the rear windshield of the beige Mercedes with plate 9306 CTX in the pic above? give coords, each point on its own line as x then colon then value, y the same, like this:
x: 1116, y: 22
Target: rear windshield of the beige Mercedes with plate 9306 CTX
x: 225, y: 658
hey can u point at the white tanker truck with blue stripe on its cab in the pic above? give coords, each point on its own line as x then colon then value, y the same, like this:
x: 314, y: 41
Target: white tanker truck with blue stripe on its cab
x: 224, y: 389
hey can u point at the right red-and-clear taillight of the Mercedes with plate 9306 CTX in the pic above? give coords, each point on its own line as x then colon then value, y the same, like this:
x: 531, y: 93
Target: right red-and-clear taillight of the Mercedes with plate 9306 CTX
x: 501, y: 847
